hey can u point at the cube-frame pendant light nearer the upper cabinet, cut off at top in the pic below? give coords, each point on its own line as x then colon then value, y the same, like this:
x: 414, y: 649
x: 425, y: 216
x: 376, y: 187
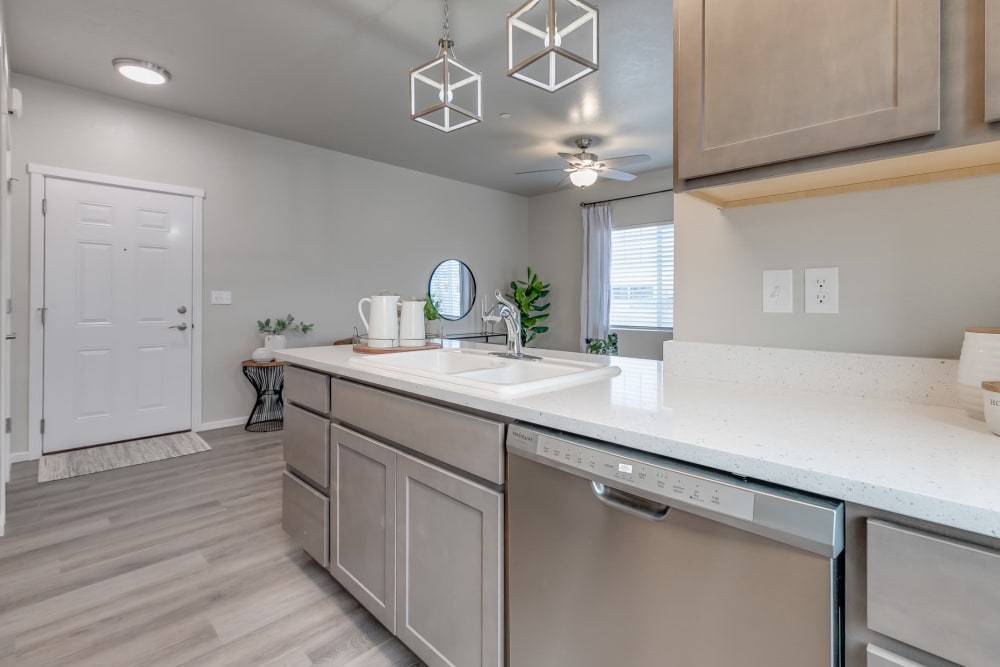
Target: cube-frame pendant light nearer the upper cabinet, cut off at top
x: 553, y: 43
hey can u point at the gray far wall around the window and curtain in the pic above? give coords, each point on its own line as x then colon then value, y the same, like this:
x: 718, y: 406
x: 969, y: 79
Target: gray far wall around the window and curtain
x: 556, y: 253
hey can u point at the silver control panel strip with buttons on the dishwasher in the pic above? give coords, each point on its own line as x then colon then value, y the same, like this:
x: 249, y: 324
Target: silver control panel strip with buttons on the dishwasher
x: 673, y: 485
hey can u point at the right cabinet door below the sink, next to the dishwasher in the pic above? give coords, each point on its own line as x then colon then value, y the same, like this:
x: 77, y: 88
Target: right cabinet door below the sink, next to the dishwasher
x: 449, y: 602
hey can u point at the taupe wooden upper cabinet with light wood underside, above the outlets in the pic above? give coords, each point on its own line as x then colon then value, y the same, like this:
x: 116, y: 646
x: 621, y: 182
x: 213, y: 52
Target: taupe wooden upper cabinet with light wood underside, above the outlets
x: 783, y: 99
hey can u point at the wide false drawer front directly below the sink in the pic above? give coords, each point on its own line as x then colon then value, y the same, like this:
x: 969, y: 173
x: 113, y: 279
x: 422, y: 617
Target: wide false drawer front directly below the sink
x: 469, y: 443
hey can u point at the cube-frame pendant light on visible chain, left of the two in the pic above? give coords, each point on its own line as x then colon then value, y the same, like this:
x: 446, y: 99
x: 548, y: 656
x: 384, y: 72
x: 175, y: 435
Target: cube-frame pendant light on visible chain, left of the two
x: 444, y: 93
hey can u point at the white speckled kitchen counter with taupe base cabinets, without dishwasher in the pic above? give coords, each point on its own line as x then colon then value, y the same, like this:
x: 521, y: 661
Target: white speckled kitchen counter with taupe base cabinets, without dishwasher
x: 409, y: 473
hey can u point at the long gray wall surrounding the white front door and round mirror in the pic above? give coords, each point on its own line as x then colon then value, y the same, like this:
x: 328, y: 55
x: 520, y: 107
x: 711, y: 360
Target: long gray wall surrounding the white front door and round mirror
x: 287, y: 227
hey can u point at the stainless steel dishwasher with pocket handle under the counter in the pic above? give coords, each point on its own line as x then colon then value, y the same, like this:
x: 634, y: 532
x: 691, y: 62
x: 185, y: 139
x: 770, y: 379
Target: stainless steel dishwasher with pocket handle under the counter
x: 616, y: 557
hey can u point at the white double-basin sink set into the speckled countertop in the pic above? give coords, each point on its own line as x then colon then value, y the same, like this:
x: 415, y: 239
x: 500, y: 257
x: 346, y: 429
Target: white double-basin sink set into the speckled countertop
x: 478, y: 369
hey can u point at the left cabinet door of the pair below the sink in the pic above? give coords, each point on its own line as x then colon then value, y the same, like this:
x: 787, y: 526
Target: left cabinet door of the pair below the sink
x: 362, y: 520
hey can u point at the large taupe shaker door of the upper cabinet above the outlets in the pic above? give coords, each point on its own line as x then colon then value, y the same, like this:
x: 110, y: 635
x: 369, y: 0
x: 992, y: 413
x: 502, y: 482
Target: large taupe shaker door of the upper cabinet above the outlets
x: 762, y: 81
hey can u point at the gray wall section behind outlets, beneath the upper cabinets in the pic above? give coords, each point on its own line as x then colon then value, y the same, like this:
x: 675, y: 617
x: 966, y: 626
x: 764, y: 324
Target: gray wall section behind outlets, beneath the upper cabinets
x: 918, y: 264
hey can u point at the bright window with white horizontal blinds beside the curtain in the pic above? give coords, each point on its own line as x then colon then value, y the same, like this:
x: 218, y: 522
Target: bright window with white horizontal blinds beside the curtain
x: 642, y: 277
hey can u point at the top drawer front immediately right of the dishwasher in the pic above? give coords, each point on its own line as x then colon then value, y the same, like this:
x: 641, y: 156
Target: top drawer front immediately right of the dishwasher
x: 937, y: 594
